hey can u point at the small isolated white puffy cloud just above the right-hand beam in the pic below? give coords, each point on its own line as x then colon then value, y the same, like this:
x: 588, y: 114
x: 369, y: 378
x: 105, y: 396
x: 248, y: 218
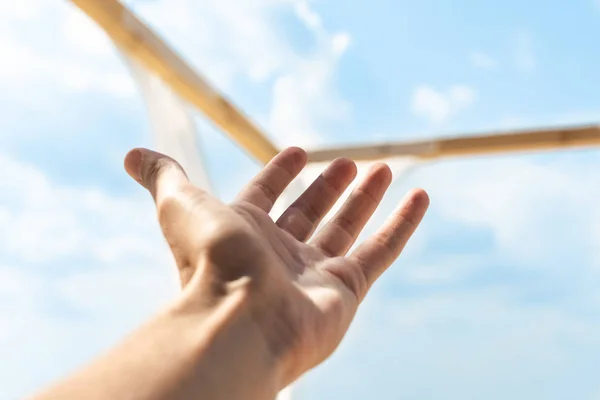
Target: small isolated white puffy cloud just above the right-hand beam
x: 437, y: 106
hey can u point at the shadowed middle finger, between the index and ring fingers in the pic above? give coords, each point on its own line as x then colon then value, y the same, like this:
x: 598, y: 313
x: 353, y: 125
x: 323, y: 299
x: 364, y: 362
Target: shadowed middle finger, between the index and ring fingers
x: 305, y: 214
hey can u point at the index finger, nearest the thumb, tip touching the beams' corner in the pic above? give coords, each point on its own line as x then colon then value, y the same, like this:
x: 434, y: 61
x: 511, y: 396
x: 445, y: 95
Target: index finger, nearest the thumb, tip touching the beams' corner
x: 268, y: 185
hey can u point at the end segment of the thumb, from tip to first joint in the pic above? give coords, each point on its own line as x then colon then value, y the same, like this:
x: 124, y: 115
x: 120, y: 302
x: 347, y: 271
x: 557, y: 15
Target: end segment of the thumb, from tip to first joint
x: 159, y: 174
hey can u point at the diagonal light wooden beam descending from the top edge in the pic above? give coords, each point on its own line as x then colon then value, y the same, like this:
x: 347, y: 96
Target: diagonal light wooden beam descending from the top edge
x: 136, y: 39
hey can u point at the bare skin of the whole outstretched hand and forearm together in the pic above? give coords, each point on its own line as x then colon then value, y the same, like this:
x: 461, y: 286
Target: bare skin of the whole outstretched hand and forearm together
x: 263, y: 301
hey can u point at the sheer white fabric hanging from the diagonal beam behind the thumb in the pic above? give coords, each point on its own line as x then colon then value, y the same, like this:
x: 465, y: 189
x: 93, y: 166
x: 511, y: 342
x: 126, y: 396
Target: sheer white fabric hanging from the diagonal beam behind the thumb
x: 172, y: 123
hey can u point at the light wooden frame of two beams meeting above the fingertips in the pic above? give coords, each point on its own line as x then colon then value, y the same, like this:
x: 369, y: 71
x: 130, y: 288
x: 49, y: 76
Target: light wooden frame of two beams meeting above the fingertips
x: 140, y: 42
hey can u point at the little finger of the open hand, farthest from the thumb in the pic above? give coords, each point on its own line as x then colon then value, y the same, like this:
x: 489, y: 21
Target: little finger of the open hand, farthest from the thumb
x: 376, y: 254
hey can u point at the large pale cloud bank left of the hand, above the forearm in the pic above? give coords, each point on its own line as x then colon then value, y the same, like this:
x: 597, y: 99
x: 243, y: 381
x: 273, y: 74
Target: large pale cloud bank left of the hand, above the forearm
x: 87, y: 267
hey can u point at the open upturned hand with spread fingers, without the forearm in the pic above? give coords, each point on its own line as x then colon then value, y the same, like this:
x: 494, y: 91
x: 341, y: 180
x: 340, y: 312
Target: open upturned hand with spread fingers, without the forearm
x: 301, y: 295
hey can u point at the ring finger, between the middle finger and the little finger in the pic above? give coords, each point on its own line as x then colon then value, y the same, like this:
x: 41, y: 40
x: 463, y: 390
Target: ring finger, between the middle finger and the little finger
x: 339, y: 234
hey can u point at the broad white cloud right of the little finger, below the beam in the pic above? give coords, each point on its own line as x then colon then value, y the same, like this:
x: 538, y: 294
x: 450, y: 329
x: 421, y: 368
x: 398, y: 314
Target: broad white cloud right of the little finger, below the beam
x: 535, y: 210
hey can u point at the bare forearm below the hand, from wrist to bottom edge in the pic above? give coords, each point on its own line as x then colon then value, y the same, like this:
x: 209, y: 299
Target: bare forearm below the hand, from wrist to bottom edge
x: 181, y: 354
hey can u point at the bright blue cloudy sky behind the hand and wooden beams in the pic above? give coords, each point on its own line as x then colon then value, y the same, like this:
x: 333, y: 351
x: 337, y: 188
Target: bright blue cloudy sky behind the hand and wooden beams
x: 497, y: 295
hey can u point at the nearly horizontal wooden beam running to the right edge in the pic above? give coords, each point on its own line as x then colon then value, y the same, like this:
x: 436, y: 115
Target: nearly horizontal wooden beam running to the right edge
x: 524, y: 141
